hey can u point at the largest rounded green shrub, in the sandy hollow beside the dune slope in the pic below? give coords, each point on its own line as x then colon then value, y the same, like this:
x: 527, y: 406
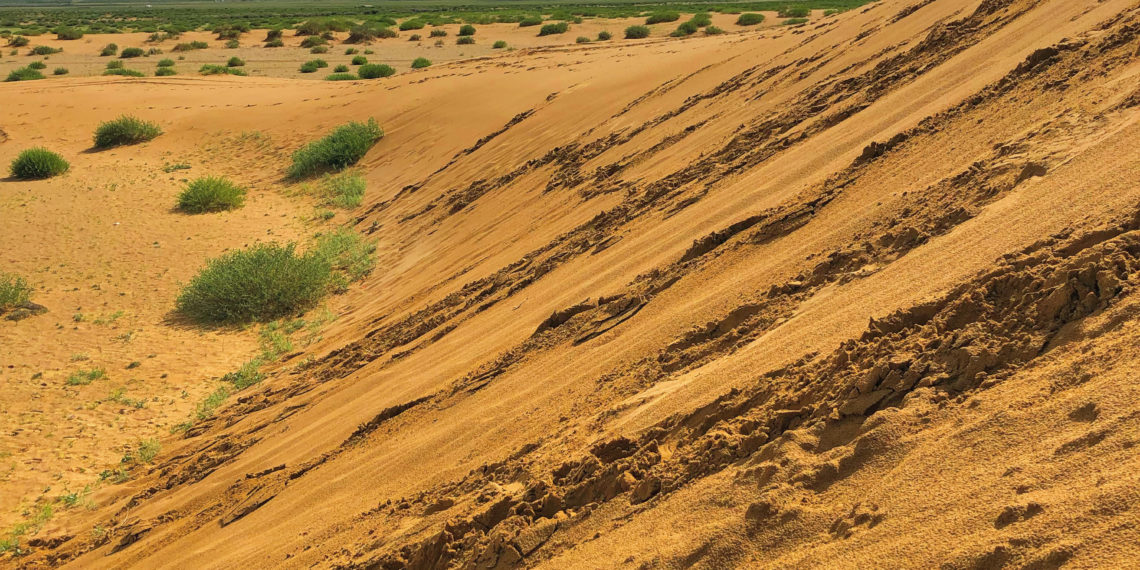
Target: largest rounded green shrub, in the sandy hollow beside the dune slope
x: 265, y: 282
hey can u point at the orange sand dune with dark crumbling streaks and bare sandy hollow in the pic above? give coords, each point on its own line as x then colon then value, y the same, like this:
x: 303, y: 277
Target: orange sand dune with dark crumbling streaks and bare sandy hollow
x: 856, y: 295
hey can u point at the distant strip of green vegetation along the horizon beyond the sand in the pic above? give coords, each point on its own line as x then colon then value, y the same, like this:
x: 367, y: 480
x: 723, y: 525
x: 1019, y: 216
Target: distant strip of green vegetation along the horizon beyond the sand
x: 35, y: 18
